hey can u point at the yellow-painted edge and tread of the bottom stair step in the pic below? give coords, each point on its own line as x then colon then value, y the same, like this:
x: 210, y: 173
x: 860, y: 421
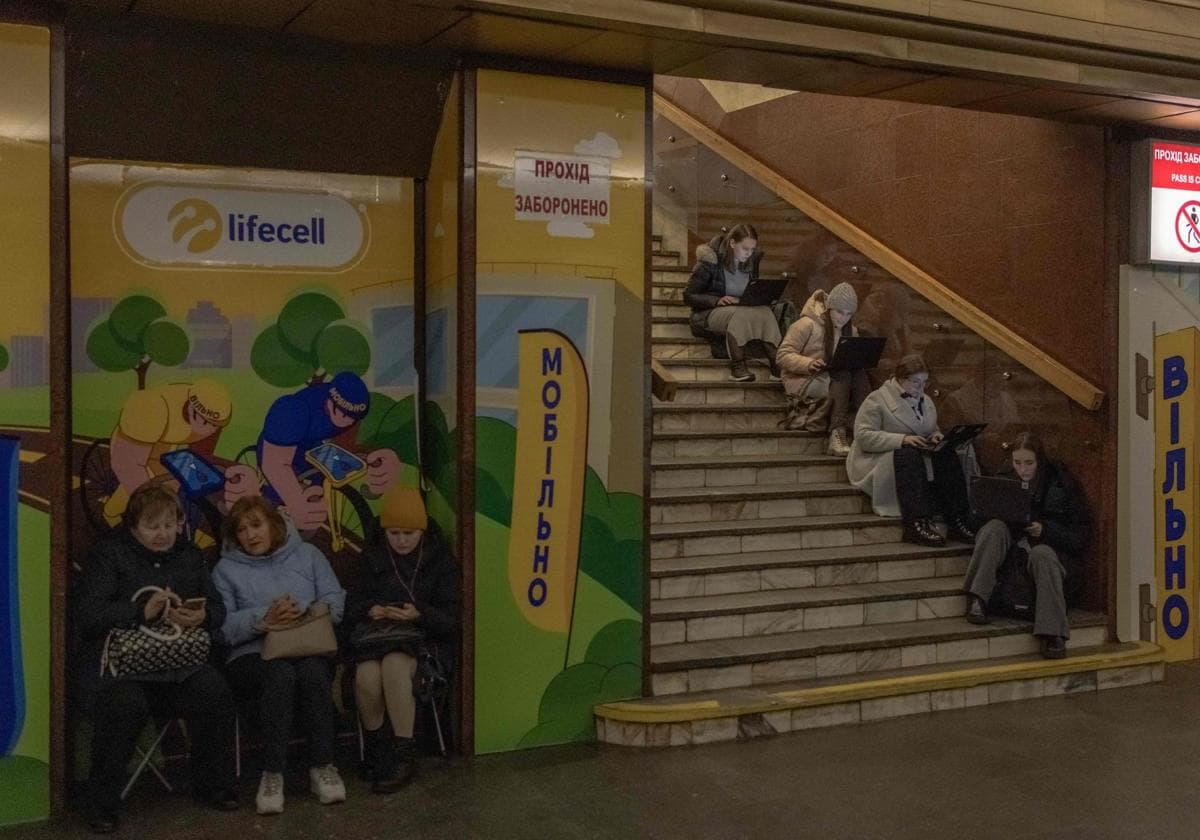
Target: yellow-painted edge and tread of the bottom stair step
x: 829, y: 692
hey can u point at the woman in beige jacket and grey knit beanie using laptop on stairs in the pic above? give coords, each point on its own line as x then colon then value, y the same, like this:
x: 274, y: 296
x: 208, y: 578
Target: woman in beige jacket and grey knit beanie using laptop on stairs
x: 820, y: 400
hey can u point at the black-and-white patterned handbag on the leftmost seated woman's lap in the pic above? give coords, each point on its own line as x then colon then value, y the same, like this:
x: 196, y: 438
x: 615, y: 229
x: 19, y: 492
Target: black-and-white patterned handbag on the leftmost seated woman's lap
x: 165, y: 646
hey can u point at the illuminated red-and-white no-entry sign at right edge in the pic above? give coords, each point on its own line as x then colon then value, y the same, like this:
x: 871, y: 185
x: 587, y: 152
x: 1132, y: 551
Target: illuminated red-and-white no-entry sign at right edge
x: 1174, y: 203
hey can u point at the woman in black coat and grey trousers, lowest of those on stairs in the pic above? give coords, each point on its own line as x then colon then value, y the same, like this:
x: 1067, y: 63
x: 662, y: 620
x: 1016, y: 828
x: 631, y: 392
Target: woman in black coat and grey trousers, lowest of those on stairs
x: 1053, y: 543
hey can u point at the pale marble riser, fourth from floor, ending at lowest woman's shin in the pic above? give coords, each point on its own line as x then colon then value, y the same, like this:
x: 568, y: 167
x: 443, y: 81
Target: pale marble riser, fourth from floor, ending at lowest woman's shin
x: 795, y: 578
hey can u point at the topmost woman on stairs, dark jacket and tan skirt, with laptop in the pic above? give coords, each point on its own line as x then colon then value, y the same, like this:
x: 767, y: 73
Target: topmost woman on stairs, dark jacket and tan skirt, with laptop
x: 724, y: 268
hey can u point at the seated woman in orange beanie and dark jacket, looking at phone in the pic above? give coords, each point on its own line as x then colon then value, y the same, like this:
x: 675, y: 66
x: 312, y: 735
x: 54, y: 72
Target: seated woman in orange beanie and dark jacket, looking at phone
x: 407, y: 574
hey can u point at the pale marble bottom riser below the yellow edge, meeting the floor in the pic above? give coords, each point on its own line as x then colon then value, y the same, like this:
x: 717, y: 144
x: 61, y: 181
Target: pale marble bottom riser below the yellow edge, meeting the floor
x: 867, y: 711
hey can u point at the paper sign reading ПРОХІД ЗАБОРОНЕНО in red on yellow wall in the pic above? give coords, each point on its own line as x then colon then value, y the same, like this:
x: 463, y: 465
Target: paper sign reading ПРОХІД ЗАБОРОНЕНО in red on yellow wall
x: 553, y: 188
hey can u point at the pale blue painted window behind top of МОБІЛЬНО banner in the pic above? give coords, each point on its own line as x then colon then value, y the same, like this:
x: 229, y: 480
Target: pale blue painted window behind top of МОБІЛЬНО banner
x: 500, y: 319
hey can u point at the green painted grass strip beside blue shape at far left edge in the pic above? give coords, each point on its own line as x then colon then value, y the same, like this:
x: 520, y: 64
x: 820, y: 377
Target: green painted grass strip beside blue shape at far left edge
x: 34, y: 581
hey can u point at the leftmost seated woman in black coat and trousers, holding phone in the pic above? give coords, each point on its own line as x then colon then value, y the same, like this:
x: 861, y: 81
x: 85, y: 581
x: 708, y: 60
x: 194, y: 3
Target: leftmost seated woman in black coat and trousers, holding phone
x: 151, y: 551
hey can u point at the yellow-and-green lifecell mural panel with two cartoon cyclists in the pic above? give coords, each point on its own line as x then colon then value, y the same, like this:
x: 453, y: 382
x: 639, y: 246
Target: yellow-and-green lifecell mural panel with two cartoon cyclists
x: 243, y: 333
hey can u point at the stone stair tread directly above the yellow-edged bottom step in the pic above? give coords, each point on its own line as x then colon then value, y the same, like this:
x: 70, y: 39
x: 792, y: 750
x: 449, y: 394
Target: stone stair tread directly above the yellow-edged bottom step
x: 806, y: 644
